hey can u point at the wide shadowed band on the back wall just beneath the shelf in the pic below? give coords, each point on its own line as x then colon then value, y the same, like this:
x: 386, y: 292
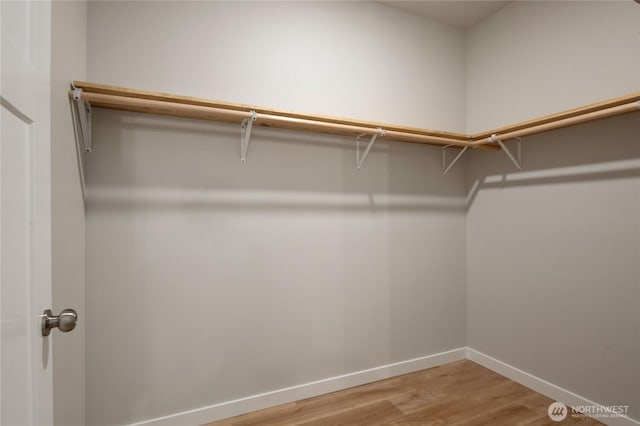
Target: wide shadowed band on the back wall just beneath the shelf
x: 163, y: 162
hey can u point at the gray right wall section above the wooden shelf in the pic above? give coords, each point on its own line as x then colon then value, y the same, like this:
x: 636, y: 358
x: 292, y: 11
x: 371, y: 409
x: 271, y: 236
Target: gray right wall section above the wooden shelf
x: 535, y: 58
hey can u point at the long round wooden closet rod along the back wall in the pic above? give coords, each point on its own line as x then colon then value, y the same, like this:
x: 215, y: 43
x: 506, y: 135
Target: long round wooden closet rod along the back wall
x: 262, y: 119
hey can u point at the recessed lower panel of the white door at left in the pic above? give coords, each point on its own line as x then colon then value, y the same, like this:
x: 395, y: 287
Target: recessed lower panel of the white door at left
x: 15, y: 296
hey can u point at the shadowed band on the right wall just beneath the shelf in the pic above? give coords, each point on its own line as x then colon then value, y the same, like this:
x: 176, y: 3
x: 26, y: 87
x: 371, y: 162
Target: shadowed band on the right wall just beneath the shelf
x: 603, y: 150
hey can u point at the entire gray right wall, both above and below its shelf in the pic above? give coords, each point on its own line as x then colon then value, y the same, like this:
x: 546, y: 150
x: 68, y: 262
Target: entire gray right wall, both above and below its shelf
x: 553, y: 285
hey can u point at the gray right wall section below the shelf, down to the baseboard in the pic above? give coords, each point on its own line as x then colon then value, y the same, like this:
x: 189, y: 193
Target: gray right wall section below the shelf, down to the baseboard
x: 553, y: 283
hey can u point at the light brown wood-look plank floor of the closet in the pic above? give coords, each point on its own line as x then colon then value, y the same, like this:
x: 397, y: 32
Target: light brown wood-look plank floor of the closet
x: 459, y: 393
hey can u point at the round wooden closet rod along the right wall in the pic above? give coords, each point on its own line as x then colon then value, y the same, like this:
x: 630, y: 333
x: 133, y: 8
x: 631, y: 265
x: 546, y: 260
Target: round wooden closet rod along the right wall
x: 565, y: 122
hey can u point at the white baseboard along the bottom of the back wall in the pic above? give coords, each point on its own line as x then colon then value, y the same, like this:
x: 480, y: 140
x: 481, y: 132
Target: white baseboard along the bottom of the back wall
x: 307, y: 390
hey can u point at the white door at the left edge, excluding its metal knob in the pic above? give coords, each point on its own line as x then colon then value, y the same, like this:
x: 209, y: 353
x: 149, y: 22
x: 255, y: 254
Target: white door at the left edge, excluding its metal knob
x: 25, y: 213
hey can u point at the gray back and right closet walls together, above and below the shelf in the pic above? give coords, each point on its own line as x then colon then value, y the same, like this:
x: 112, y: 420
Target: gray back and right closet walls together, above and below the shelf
x: 233, y: 279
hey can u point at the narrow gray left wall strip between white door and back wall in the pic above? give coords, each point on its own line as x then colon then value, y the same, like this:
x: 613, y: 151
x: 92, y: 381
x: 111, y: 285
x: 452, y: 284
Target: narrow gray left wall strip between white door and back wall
x: 68, y: 62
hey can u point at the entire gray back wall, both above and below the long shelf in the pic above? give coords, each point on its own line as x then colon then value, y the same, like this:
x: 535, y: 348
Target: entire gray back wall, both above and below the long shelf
x: 231, y: 279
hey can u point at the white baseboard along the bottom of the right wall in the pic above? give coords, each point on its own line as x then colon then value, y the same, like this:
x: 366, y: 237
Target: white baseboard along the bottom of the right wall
x: 542, y: 386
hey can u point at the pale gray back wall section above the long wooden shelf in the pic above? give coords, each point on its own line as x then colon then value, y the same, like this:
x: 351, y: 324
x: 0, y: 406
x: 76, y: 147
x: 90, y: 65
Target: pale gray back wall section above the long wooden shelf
x: 343, y: 59
